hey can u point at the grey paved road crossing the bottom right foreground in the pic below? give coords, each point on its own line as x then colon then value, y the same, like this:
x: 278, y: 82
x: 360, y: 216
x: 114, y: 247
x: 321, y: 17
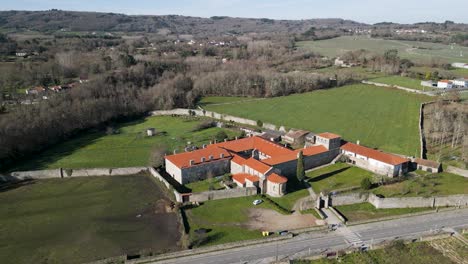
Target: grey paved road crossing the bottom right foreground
x: 306, y: 244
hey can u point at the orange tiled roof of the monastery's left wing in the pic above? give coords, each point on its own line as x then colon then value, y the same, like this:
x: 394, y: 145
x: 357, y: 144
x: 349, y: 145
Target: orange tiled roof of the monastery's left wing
x: 182, y: 160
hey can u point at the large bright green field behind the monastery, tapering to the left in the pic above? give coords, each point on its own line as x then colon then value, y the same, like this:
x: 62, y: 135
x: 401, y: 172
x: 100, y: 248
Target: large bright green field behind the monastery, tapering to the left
x: 379, y: 117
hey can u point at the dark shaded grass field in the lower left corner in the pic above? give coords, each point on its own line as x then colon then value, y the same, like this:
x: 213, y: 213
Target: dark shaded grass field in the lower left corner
x: 78, y: 220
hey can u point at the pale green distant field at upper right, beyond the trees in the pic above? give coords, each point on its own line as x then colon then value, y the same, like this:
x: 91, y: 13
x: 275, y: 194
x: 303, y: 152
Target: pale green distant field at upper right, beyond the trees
x: 413, y: 50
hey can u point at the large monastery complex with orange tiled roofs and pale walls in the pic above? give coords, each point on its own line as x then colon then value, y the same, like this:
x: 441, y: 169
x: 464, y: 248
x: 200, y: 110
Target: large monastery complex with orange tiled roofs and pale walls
x: 252, y: 161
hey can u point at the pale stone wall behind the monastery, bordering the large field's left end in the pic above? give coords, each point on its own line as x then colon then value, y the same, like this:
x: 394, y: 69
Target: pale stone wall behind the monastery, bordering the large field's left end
x: 205, y: 113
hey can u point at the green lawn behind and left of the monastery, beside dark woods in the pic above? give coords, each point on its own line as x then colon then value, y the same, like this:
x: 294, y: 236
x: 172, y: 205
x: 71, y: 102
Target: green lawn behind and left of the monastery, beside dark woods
x: 130, y: 147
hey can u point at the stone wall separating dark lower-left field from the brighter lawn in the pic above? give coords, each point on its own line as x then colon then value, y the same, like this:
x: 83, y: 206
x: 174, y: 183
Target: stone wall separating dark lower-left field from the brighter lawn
x: 66, y: 173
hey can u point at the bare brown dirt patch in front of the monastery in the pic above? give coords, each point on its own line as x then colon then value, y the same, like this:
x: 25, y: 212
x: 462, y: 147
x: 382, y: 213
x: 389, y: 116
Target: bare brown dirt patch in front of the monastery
x: 270, y: 220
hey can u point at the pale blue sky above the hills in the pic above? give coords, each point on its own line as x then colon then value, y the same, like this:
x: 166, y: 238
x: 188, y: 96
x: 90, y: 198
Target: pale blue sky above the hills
x: 367, y: 11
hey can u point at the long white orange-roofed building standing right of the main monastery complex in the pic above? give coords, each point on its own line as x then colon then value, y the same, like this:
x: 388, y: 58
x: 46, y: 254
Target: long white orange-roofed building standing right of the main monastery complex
x: 373, y: 160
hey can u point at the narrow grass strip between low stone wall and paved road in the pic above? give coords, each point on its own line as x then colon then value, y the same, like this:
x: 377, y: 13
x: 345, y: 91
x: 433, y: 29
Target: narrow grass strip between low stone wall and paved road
x: 366, y: 211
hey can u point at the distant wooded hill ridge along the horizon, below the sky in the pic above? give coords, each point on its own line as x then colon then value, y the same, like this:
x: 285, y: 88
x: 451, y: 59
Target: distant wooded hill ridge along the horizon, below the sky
x: 53, y: 20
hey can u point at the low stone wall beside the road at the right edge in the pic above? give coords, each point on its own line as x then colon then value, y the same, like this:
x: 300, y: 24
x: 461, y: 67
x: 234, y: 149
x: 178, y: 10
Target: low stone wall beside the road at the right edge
x: 415, y: 202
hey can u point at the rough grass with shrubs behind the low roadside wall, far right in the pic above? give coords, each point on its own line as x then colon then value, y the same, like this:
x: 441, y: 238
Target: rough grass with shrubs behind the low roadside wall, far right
x: 433, y: 184
